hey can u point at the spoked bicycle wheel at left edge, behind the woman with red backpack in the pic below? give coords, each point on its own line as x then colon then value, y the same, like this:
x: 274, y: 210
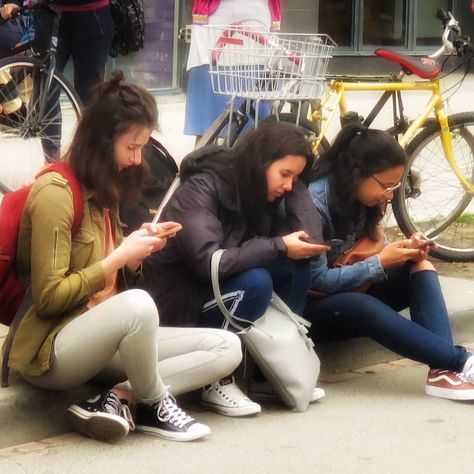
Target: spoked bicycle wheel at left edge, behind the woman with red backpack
x: 27, y: 139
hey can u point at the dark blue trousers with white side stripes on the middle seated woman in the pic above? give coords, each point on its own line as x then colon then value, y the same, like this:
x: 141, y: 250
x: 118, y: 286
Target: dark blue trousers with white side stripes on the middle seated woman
x: 248, y: 294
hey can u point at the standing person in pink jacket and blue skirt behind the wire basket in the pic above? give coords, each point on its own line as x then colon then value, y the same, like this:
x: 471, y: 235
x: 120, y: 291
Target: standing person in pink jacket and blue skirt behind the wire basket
x: 202, y: 105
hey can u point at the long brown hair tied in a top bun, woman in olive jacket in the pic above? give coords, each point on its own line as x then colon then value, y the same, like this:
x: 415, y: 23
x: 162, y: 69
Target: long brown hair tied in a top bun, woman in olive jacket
x: 117, y: 107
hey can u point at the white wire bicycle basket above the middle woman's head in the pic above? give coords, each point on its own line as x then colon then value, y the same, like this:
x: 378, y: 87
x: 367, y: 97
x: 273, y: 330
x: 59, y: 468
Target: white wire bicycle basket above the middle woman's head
x: 256, y: 64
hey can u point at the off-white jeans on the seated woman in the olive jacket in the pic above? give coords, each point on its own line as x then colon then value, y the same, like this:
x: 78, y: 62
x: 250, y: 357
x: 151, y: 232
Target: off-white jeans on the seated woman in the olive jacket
x: 121, y: 337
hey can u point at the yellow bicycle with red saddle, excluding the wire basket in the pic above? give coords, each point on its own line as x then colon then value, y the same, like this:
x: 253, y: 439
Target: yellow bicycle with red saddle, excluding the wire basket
x: 435, y: 196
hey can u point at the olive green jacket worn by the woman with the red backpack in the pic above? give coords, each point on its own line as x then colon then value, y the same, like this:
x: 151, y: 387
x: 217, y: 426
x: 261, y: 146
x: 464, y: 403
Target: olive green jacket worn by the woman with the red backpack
x: 63, y: 274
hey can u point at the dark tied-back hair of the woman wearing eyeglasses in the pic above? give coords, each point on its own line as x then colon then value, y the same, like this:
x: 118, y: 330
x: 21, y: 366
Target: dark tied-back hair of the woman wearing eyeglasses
x: 356, y: 154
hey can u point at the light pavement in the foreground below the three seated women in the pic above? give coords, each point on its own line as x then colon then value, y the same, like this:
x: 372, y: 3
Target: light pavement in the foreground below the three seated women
x: 370, y: 423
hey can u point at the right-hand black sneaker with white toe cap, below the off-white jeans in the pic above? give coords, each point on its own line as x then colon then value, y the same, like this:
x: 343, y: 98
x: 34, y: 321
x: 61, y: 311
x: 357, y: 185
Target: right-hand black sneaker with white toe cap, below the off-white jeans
x: 166, y: 419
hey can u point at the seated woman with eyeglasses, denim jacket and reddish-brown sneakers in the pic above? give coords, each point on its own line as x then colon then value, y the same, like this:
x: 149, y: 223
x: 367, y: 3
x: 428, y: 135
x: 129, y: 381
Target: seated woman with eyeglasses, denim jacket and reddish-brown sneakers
x: 350, y: 188
